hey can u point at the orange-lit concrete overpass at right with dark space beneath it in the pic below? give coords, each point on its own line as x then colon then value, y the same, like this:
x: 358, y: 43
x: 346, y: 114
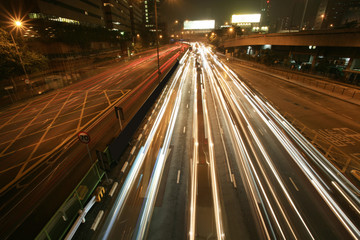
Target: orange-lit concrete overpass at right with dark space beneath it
x: 337, y: 46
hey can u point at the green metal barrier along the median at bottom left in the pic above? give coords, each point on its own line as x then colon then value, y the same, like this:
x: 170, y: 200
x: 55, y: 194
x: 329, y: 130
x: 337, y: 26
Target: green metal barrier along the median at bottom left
x: 62, y: 220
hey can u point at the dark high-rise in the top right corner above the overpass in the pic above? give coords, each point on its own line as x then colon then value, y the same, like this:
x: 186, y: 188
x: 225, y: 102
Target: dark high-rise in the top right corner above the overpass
x: 337, y: 14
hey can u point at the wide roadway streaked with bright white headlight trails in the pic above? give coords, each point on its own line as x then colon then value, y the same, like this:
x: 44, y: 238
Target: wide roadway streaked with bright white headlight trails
x: 217, y: 161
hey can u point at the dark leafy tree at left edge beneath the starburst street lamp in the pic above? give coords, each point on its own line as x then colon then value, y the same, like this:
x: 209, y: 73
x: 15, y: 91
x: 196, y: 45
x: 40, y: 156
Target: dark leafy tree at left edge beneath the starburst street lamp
x: 10, y: 64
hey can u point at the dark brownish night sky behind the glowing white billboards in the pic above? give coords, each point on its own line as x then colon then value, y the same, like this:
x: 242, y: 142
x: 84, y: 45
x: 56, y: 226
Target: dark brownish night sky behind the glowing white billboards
x: 221, y: 10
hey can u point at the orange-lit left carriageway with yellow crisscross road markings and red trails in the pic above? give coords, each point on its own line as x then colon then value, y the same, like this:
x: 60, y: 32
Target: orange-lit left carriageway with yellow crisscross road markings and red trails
x: 38, y: 144
